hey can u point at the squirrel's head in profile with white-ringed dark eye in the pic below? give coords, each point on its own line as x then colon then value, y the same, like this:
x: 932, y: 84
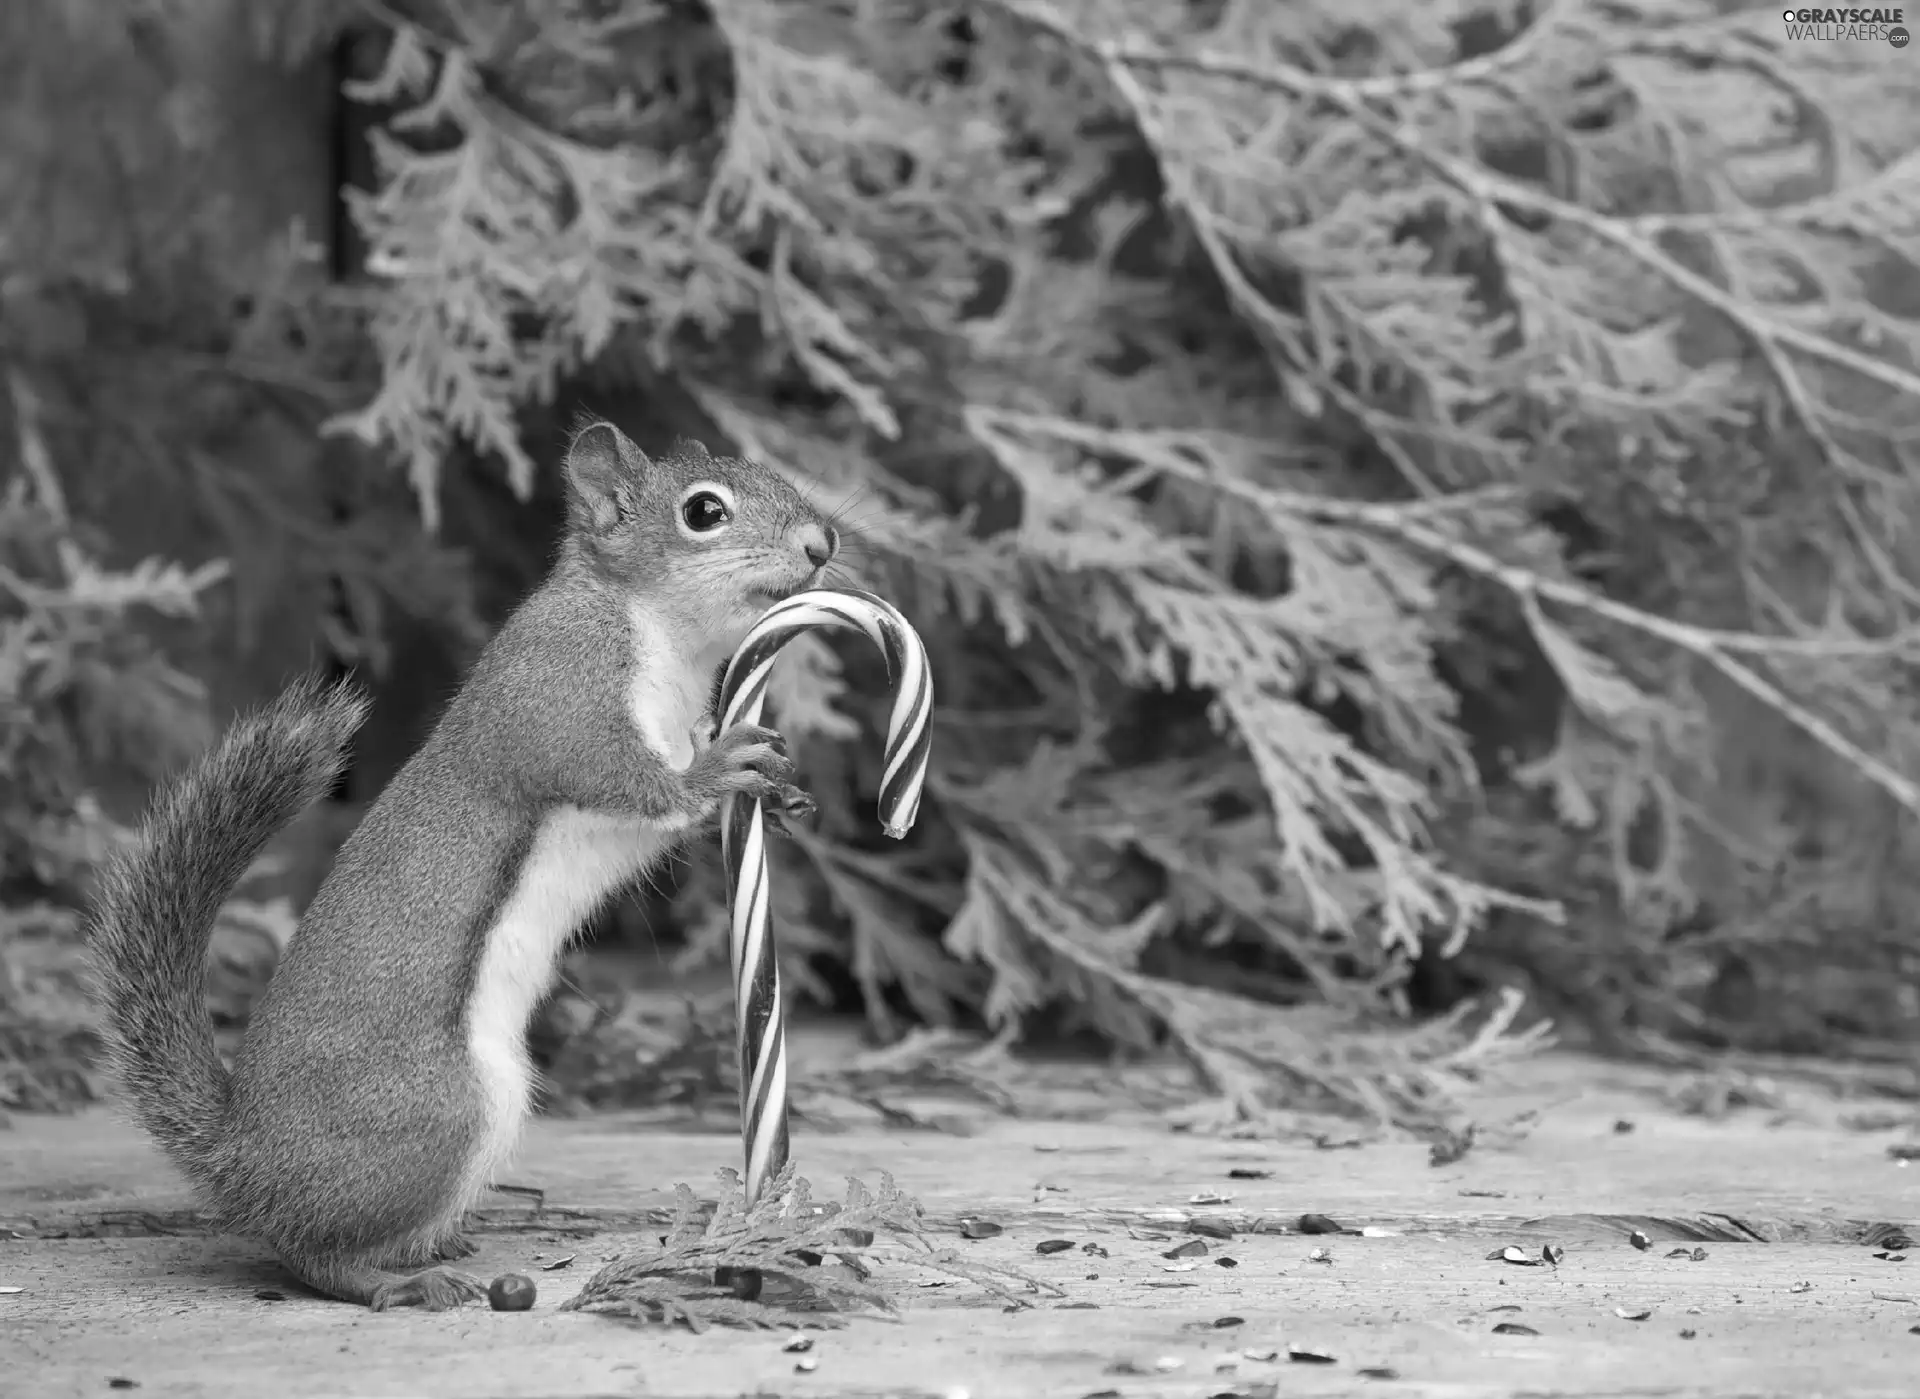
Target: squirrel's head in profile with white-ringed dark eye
x: 711, y: 542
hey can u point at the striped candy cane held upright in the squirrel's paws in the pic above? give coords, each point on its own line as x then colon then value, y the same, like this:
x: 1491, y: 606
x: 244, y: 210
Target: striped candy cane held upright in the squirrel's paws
x: 763, y: 1026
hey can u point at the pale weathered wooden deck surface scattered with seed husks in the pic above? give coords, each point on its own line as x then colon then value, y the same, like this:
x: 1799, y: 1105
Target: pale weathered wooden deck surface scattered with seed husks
x: 120, y: 1281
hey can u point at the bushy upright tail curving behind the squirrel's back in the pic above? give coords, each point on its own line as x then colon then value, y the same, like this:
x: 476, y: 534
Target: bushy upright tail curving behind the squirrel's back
x: 155, y: 909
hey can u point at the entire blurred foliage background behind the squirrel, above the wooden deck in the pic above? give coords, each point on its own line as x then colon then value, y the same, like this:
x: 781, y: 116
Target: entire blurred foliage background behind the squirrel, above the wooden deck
x: 1412, y: 502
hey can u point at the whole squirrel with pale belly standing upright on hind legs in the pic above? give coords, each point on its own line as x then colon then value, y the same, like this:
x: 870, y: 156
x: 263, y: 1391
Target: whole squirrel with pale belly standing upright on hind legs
x: 385, y: 1074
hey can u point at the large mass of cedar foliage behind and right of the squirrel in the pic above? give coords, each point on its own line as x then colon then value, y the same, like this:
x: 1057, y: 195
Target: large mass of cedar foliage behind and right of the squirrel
x: 1372, y: 477
